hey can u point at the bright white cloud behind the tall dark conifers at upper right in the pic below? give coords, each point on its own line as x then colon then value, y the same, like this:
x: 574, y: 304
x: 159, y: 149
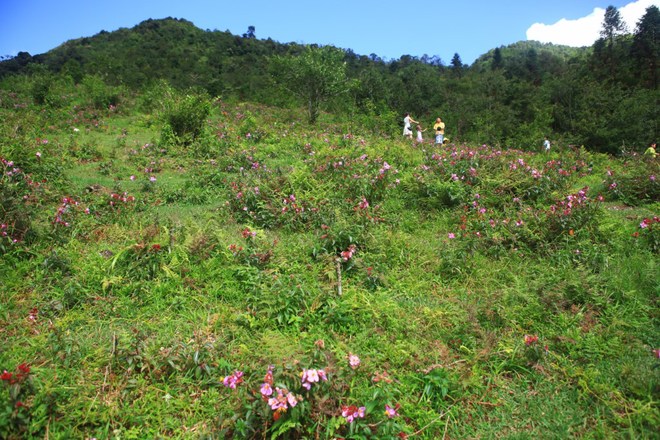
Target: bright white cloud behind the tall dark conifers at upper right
x: 585, y: 31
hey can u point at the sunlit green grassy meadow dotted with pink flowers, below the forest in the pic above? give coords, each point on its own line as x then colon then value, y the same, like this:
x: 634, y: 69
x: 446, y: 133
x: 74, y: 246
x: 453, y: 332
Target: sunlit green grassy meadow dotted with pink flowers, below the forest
x: 268, y: 279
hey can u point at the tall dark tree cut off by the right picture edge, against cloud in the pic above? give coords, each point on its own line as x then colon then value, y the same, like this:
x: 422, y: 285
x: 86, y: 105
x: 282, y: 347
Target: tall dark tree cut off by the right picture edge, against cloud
x: 646, y: 45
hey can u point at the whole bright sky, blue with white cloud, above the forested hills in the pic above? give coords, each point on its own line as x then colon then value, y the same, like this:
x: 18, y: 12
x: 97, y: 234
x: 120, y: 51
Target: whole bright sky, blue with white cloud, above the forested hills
x: 387, y: 28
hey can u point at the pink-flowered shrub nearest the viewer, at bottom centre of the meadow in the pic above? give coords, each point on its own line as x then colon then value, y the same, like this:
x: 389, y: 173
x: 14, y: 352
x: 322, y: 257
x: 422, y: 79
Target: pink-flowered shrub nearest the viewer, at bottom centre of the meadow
x: 280, y: 405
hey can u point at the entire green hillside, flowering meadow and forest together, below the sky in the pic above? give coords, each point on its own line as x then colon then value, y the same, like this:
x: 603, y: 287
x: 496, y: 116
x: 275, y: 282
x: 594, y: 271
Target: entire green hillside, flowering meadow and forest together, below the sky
x: 214, y: 236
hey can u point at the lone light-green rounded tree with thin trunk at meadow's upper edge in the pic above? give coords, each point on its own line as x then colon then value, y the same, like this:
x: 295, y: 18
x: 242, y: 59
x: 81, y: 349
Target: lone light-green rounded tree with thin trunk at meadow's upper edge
x: 316, y: 75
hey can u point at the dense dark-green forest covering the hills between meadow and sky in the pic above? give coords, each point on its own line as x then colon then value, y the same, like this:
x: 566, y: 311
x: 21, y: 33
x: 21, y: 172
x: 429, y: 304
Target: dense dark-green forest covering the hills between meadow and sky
x: 604, y: 97
